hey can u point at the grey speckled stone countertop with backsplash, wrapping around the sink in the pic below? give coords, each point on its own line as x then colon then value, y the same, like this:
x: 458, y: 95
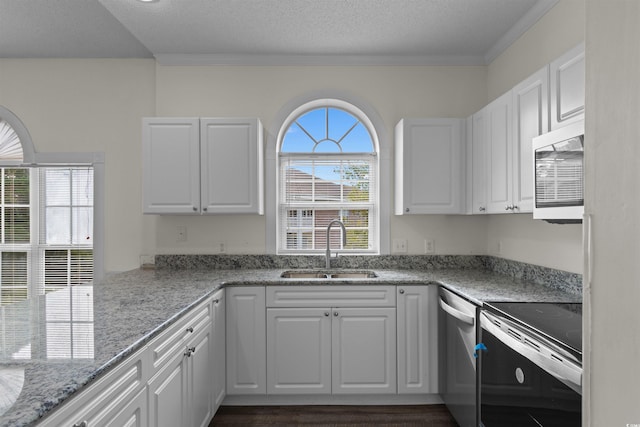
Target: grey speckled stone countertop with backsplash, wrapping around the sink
x: 43, y: 363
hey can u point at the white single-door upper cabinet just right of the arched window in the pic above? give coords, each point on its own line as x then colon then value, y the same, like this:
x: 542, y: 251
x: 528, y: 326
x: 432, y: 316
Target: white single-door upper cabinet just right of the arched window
x: 429, y: 169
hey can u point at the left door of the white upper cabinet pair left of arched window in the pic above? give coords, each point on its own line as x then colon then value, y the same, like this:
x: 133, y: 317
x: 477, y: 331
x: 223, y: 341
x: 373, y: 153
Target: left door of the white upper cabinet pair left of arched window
x: 171, y: 165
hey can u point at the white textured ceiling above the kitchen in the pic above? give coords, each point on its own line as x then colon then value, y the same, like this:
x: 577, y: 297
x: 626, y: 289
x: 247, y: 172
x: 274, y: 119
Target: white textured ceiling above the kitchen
x: 268, y: 31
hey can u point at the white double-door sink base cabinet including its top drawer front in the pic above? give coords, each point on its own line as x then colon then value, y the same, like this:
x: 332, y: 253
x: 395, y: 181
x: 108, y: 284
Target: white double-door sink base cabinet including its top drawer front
x: 316, y: 345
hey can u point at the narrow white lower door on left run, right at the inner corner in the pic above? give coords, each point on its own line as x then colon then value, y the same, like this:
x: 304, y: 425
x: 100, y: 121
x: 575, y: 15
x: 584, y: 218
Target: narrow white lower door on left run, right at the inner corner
x: 219, y: 349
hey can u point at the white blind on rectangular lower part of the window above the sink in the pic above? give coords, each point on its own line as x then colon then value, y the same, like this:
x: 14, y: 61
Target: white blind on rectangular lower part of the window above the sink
x: 320, y: 188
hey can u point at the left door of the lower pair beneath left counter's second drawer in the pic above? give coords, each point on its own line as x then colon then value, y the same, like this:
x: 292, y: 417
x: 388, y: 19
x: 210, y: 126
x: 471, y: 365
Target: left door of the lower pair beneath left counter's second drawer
x: 168, y: 400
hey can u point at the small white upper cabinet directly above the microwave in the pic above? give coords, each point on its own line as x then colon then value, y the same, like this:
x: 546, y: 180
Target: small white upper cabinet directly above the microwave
x: 567, y: 87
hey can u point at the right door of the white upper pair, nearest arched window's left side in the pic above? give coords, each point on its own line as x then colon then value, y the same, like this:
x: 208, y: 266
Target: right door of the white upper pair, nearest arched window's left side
x: 231, y: 165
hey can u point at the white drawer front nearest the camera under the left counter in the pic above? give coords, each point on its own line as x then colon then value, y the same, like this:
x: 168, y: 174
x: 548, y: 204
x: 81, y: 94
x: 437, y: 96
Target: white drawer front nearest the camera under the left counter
x: 105, y: 399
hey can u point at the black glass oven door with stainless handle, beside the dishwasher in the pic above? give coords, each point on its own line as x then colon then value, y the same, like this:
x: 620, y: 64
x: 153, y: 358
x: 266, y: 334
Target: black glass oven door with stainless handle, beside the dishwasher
x: 515, y: 390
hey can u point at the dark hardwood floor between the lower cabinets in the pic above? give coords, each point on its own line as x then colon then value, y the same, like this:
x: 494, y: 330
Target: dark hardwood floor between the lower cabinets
x: 334, y: 416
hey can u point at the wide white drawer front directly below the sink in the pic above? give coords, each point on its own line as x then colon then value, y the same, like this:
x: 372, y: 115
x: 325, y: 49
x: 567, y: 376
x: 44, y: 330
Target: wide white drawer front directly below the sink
x: 331, y: 296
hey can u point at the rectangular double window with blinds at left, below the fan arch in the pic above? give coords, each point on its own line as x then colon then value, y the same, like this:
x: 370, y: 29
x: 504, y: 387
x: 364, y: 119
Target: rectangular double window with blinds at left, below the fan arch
x: 46, y: 230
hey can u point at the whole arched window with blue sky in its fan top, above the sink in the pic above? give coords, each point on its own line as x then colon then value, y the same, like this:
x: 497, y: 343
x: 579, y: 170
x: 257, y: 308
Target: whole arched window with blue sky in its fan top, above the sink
x: 327, y: 169
